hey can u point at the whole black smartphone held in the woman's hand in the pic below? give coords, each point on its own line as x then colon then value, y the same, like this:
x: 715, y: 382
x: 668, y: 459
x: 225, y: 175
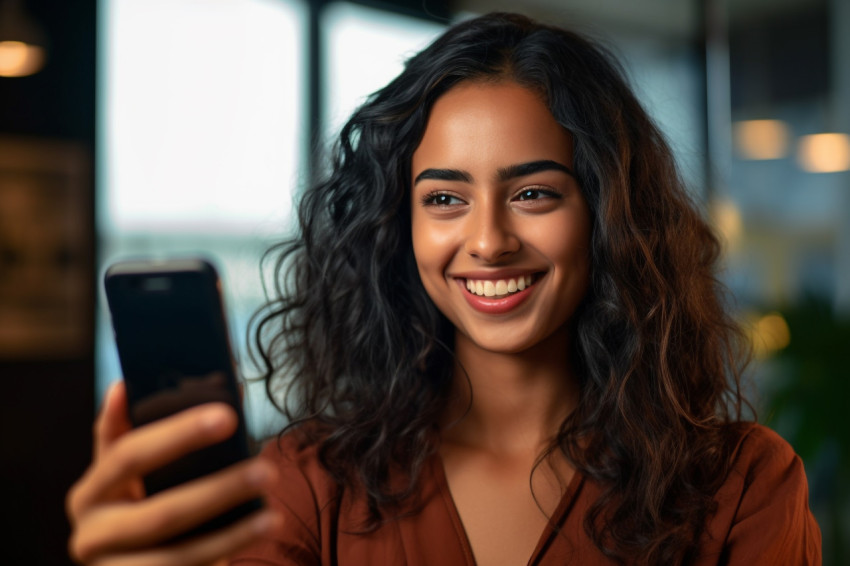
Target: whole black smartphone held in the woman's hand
x: 173, y: 344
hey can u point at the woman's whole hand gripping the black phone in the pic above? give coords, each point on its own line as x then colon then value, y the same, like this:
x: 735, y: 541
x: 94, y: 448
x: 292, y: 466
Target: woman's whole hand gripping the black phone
x: 114, y: 524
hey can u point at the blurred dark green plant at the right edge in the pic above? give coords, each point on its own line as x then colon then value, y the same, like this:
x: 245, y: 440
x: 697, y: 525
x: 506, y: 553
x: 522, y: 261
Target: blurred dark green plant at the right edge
x: 807, y: 401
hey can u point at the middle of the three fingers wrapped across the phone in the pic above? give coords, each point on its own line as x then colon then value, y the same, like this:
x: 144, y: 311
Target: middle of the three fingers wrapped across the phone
x: 159, y: 518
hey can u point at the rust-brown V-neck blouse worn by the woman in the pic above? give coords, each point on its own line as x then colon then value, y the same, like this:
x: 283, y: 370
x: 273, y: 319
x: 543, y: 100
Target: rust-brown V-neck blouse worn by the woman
x: 763, y: 517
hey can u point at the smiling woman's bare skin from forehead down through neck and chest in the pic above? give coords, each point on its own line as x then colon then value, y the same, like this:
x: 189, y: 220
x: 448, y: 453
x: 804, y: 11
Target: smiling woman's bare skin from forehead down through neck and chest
x: 501, y: 237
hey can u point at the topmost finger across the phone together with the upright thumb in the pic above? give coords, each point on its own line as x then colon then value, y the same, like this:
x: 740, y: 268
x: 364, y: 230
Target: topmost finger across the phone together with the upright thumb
x: 147, y: 448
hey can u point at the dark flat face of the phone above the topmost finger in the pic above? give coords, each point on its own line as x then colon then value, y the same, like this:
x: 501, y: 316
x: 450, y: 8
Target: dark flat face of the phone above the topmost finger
x: 171, y: 337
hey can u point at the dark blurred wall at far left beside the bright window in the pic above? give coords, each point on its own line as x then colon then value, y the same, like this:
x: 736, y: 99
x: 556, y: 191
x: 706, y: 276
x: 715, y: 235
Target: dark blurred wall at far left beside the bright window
x: 47, y: 405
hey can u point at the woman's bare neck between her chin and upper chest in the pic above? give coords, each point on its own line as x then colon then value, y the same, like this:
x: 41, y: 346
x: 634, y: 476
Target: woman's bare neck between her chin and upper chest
x: 510, y: 403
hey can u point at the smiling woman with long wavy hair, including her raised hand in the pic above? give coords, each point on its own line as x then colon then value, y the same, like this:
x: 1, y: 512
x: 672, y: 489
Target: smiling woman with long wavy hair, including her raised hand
x: 498, y: 339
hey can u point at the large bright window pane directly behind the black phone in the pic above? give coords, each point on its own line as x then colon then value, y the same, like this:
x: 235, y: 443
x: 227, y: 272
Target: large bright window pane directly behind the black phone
x: 199, y: 143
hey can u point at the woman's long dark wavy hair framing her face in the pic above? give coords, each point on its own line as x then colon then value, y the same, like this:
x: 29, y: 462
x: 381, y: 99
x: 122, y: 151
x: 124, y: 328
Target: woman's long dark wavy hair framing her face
x: 352, y: 343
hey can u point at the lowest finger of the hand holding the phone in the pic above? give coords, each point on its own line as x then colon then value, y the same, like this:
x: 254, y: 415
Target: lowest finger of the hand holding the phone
x: 202, y: 550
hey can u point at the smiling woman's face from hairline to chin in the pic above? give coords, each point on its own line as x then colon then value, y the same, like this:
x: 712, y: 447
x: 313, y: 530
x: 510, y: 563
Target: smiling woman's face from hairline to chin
x: 501, y: 231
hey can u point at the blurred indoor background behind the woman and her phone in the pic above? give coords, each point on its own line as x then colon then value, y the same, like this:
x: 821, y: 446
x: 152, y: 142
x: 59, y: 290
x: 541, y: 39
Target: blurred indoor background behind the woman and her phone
x: 159, y: 127
